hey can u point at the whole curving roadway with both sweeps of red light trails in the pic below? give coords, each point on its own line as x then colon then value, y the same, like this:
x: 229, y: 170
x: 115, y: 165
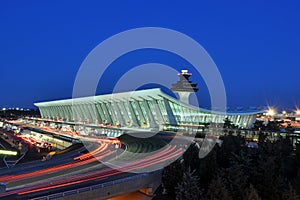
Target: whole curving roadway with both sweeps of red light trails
x: 81, y: 169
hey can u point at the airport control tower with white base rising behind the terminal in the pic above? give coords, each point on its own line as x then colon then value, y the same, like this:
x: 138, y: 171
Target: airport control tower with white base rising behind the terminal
x: 184, y: 87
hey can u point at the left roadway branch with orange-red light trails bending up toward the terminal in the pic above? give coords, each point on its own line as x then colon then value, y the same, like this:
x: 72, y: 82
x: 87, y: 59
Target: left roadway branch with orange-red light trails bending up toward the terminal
x: 25, y: 178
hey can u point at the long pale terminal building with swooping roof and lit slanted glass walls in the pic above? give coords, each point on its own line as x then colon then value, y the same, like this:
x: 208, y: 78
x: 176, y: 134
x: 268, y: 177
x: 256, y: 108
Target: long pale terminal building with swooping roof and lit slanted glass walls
x: 149, y: 108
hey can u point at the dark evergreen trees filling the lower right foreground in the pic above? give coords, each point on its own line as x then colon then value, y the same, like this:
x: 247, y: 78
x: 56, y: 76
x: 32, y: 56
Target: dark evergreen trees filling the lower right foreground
x: 235, y: 171
